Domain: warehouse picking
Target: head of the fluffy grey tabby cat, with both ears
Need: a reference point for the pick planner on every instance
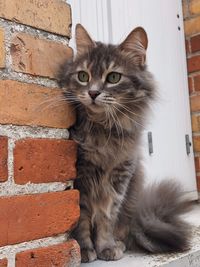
(109, 78)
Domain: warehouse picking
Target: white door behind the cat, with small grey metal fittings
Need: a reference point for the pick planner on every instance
(110, 21)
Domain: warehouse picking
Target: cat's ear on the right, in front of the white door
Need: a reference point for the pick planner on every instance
(135, 45)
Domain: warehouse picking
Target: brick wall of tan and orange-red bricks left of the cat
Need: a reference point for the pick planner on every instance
(37, 161)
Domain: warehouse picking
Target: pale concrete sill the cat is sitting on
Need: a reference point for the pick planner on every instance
(187, 259)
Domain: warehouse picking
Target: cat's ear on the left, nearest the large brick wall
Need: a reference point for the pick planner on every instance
(83, 41)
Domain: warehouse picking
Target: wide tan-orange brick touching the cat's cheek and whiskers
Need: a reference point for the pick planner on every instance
(31, 104)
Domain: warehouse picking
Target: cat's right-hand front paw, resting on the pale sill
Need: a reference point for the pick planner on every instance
(110, 254)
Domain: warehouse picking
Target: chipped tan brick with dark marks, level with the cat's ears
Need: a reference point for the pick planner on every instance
(36, 56)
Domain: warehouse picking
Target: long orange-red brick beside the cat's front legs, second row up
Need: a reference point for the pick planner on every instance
(30, 217)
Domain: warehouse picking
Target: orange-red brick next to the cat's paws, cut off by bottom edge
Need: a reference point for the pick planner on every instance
(61, 255)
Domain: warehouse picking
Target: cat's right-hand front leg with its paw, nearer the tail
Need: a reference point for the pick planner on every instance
(106, 245)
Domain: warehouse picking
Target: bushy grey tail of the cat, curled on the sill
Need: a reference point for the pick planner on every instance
(157, 226)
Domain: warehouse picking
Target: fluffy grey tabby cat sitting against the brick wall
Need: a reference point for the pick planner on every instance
(112, 90)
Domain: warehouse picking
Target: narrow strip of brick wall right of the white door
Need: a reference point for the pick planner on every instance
(191, 11)
